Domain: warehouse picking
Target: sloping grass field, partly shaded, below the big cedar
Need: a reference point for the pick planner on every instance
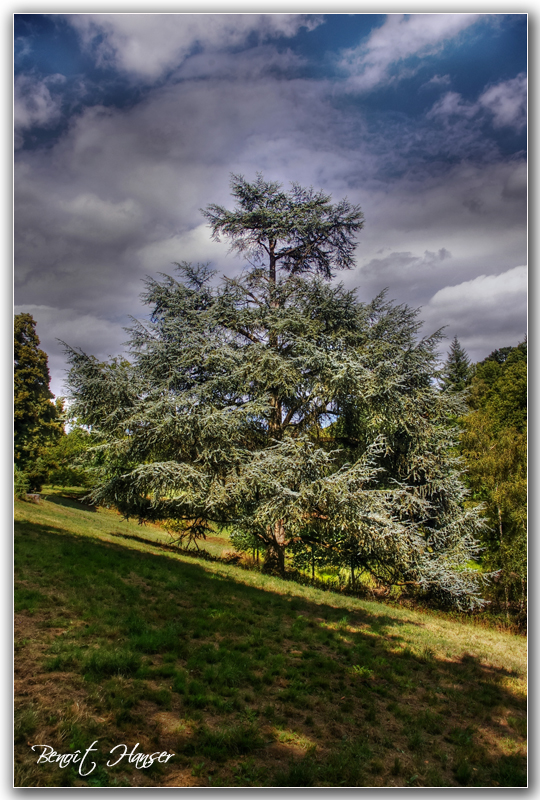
(249, 680)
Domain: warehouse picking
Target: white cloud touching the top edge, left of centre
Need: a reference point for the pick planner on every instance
(147, 46)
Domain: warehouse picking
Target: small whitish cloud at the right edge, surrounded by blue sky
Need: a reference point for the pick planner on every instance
(506, 102)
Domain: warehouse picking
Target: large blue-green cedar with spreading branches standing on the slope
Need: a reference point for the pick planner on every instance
(282, 406)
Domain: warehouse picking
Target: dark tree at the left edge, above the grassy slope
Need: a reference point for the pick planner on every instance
(35, 415)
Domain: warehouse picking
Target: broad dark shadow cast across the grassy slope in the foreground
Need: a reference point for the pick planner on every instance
(229, 649)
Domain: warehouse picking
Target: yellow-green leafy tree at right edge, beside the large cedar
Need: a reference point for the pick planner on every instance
(494, 444)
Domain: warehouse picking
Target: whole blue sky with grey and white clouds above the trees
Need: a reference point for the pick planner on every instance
(126, 125)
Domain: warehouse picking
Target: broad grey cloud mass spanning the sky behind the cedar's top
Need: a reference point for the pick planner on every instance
(117, 196)
